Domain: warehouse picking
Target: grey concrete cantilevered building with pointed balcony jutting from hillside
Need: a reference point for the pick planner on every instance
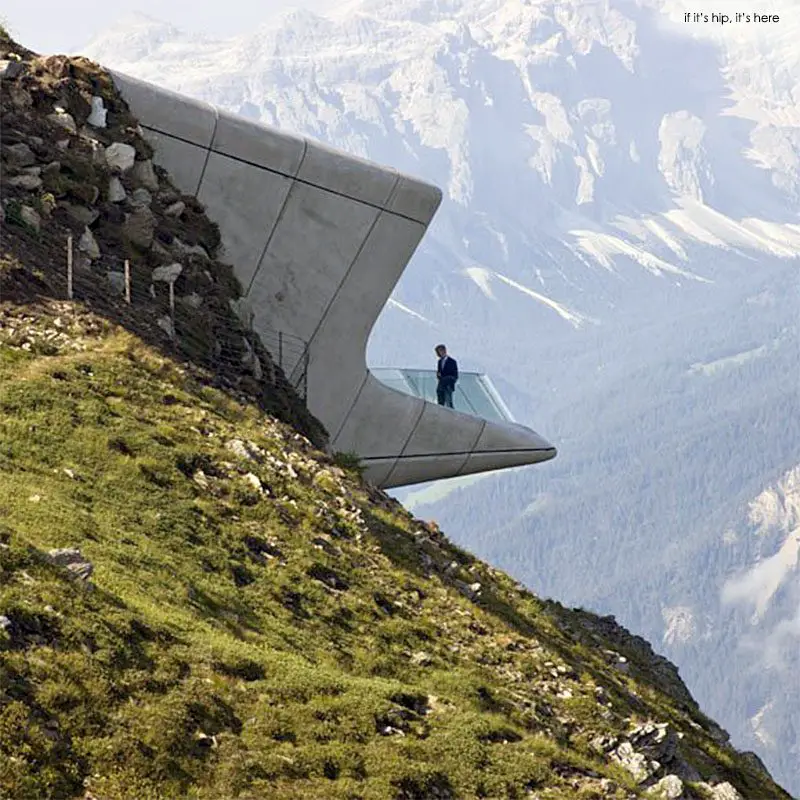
(318, 240)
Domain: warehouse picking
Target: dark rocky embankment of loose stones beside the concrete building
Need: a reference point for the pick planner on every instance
(74, 161)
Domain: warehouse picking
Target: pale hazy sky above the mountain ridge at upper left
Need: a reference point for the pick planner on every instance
(51, 26)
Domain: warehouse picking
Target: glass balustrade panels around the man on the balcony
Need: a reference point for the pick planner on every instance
(475, 393)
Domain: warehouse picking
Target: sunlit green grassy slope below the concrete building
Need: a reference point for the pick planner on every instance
(303, 642)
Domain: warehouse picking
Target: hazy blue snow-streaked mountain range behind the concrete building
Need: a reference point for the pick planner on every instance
(618, 248)
